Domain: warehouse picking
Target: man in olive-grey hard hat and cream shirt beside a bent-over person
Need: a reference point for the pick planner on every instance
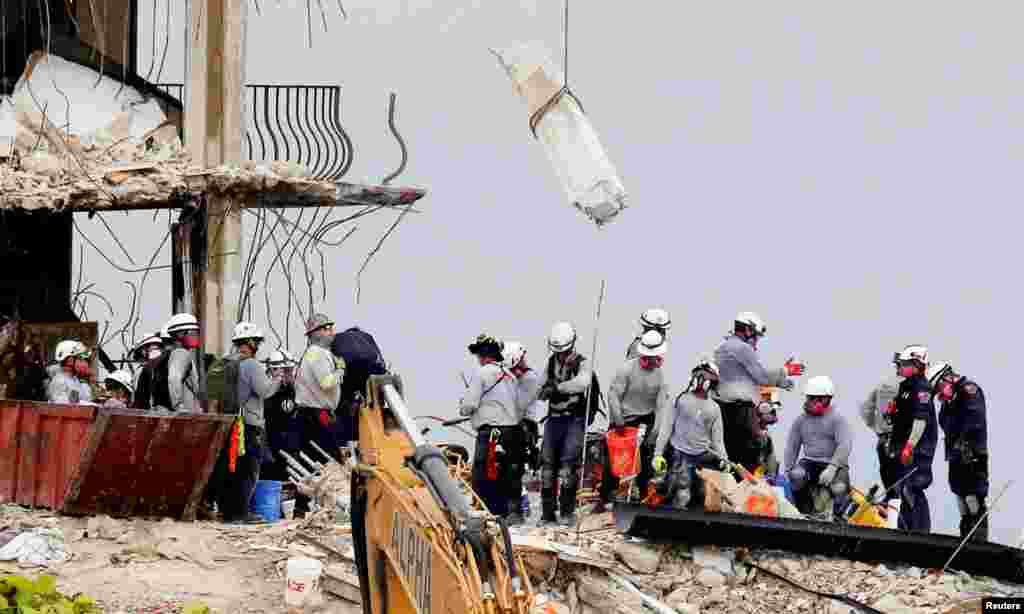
(318, 388)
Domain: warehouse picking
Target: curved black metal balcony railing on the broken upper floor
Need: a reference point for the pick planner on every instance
(297, 123)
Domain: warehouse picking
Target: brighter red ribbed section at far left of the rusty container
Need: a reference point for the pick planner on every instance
(40, 450)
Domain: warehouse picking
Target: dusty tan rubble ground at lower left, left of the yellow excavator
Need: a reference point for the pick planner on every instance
(136, 566)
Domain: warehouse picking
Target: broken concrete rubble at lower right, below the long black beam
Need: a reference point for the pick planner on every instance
(583, 574)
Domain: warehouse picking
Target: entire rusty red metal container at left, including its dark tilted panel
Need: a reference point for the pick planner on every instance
(84, 460)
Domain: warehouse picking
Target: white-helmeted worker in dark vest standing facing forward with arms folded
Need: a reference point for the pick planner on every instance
(565, 385)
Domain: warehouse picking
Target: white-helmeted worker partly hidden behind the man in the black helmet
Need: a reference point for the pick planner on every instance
(532, 411)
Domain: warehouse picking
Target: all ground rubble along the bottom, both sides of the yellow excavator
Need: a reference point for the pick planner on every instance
(134, 566)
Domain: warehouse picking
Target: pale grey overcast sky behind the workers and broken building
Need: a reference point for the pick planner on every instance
(850, 173)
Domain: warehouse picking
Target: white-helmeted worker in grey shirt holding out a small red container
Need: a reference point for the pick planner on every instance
(741, 373)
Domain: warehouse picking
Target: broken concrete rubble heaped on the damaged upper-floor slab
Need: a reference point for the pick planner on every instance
(108, 146)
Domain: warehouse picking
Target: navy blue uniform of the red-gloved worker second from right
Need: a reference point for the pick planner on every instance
(914, 403)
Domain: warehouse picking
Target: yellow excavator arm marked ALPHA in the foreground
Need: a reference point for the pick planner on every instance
(424, 545)
